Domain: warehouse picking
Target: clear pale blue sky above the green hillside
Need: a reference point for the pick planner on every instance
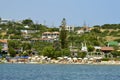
(51, 12)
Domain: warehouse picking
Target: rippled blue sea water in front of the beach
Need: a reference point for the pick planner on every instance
(58, 72)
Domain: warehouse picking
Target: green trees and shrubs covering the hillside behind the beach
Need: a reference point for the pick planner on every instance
(18, 43)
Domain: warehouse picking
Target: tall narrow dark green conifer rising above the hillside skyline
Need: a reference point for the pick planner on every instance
(63, 34)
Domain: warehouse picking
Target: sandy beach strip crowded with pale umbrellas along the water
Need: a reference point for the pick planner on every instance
(60, 60)
